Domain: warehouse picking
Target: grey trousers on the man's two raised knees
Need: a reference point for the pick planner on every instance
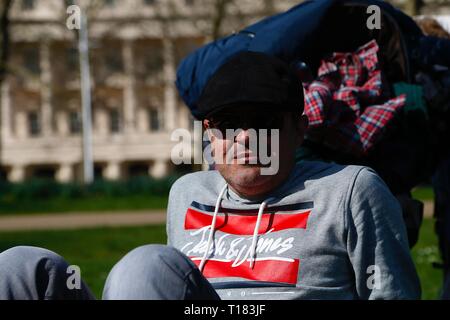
(147, 272)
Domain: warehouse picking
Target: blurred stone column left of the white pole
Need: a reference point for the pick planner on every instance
(46, 90)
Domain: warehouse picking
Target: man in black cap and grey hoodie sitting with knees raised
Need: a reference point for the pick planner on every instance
(310, 230)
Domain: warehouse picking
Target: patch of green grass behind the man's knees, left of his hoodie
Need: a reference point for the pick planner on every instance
(95, 251)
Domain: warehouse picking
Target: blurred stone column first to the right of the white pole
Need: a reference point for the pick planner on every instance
(129, 93)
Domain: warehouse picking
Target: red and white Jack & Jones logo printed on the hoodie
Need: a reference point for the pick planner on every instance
(232, 246)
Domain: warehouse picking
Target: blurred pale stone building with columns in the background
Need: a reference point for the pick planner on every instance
(135, 46)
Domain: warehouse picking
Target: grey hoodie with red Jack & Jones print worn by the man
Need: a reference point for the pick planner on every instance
(329, 232)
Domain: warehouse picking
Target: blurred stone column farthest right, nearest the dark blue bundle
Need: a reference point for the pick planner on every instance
(170, 100)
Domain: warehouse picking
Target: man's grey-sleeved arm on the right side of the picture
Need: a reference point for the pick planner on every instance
(377, 241)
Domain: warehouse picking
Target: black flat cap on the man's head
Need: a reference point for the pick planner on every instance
(252, 78)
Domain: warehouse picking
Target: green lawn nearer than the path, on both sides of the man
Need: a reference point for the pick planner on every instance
(95, 251)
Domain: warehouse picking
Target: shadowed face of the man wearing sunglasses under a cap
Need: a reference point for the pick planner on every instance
(240, 161)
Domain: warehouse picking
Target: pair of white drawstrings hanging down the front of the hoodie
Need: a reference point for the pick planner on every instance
(213, 226)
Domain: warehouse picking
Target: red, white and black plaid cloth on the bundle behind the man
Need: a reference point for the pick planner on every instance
(345, 104)
